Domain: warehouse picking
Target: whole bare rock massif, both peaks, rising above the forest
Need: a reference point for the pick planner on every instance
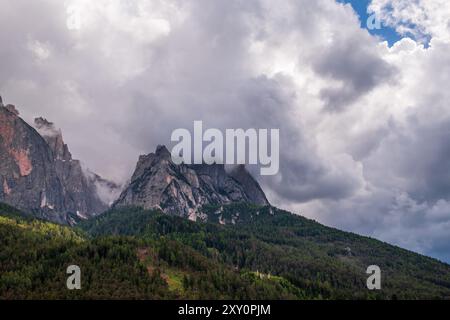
(39, 175)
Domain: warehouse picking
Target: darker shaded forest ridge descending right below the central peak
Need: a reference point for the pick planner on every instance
(324, 262)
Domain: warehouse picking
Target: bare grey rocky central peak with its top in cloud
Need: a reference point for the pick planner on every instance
(184, 189)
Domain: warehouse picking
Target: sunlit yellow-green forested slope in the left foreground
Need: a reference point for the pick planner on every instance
(35, 255)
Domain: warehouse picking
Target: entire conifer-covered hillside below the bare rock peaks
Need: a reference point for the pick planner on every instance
(244, 252)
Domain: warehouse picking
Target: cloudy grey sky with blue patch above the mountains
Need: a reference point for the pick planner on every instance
(364, 115)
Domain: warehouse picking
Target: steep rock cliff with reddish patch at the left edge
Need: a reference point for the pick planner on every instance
(38, 174)
